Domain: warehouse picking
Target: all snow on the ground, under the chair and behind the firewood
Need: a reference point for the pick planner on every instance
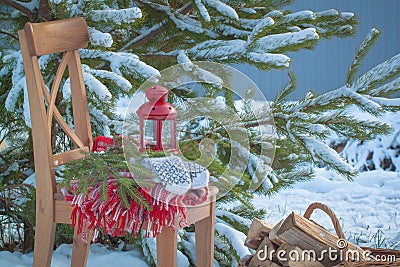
(368, 209)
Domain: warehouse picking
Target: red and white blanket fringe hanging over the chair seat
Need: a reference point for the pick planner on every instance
(90, 212)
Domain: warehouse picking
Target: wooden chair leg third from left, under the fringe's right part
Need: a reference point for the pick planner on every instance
(166, 247)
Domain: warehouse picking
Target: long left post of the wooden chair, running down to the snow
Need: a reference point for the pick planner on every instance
(45, 184)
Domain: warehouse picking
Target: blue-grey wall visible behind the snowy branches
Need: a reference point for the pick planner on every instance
(325, 67)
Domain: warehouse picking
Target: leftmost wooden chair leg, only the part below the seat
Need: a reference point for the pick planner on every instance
(44, 241)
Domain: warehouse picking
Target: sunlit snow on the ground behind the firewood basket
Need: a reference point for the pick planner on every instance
(368, 208)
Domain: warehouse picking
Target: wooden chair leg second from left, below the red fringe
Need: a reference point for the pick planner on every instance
(80, 249)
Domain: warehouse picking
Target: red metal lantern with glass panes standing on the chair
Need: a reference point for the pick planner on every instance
(157, 121)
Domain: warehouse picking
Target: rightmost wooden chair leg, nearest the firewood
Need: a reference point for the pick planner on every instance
(205, 239)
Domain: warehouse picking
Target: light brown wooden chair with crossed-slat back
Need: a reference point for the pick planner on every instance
(68, 36)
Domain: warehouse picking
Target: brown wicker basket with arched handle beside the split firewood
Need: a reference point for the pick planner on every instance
(388, 257)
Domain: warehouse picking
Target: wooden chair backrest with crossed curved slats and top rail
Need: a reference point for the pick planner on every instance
(37, 39)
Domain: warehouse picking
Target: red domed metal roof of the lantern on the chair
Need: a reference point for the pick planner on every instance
(157, 108)
